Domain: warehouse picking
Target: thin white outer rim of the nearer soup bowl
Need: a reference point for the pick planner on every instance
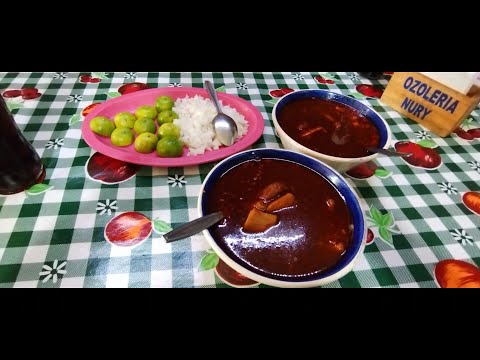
(275, 282)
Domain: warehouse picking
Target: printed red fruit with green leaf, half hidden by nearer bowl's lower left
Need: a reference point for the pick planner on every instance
(231, 277)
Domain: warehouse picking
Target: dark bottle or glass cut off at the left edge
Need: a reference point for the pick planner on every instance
(20, 165)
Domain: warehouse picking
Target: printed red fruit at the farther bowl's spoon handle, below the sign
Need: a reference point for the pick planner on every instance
(423, 155)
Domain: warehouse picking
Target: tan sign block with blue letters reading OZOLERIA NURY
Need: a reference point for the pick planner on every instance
(429, 103)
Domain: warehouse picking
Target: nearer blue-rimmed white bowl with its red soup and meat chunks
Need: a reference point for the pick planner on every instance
(289, 219)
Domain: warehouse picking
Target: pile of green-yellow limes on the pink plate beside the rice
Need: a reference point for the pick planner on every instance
(165, 140)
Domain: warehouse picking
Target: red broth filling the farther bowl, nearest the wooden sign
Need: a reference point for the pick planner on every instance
(312, 122)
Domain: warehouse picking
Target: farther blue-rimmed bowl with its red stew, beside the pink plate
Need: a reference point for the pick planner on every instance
(331, 127)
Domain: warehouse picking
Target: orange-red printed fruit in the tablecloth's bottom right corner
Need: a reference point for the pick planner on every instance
(457, 274)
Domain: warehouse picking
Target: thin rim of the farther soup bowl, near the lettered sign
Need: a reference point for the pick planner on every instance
(330, 158)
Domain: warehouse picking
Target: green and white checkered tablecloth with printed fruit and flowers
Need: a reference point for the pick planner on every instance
(56, 238)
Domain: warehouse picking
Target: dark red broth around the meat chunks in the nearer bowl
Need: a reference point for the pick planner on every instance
(309, 237)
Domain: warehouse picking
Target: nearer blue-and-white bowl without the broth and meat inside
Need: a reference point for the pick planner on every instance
(334, 273)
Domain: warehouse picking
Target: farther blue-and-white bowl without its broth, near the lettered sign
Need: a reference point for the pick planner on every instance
(338, 163)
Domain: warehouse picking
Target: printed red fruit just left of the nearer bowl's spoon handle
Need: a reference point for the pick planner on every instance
(128, 229)
